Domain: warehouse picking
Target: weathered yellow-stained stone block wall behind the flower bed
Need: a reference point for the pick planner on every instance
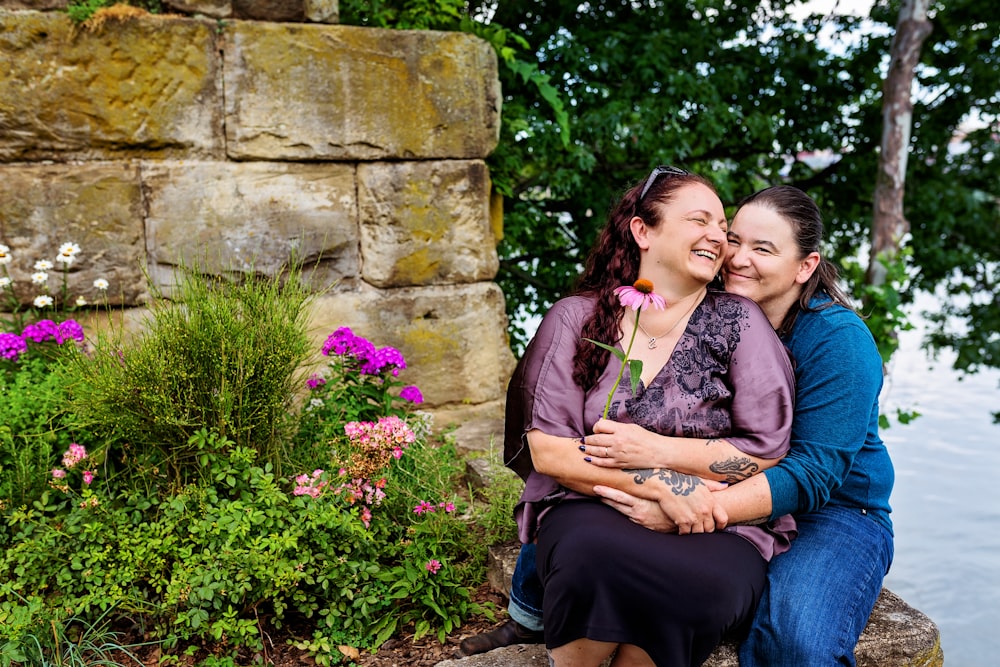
(240, 144)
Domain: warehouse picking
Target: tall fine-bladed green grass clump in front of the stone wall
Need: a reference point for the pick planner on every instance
(220, 354)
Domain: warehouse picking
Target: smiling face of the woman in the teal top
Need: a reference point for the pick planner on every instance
(764, 261)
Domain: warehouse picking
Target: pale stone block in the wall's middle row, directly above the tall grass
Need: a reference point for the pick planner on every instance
(252, 217)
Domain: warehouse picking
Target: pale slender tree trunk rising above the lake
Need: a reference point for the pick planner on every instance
(889, 226)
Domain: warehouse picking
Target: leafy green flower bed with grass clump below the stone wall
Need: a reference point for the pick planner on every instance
(206, 485)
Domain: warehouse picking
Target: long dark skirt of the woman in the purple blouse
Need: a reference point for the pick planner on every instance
(674, 596)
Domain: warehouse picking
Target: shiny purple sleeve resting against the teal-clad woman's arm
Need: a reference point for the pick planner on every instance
(763, 389)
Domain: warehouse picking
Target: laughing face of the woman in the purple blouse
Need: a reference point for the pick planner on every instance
(688, 243)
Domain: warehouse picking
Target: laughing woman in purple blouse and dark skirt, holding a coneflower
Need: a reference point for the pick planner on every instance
(716, 391)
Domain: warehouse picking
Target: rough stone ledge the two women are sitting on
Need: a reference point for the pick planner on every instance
(897, 635)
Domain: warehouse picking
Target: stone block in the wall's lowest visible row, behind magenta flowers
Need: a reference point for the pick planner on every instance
(453, 337)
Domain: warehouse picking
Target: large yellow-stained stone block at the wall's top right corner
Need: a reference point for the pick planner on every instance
(346, 93)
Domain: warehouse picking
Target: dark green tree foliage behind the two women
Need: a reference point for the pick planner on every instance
(742, 92)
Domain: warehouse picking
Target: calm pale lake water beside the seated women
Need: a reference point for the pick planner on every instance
(946, 504)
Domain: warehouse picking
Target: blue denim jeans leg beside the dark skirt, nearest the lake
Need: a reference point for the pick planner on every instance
(821, 592)
